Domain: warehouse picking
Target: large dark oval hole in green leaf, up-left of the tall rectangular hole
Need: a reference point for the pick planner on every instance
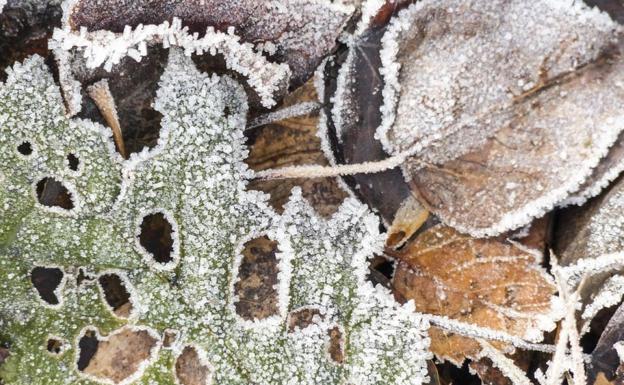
(156, 237)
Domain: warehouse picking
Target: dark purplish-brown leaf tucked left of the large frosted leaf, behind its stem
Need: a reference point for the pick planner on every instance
(349, 130)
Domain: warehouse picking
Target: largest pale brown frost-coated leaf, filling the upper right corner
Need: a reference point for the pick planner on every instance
(556, 120)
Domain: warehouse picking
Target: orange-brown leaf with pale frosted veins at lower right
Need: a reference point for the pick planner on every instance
(485, 282)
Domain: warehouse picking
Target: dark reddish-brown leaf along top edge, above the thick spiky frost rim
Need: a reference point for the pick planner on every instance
(303, 31)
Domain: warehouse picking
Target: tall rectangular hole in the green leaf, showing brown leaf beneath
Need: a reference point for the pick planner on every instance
(257, 278)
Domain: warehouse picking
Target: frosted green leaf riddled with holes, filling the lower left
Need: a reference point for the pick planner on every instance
(195, 179)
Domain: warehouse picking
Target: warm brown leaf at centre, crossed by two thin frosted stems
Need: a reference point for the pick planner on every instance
(292, 142)
